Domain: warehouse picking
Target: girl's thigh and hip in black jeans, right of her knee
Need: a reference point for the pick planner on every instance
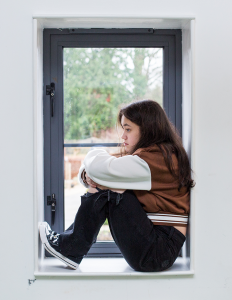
(145, 247)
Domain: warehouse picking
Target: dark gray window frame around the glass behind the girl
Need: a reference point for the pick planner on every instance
(53, 43)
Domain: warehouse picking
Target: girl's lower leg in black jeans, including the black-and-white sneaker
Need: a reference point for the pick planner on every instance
(71, 245)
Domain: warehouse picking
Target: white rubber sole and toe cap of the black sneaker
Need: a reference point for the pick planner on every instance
(43, 230)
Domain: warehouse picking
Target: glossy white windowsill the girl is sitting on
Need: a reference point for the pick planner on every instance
(107, 267)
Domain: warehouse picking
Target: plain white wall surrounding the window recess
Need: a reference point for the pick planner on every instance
(212, 148)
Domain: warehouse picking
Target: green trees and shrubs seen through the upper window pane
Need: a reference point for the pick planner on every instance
(97, 81)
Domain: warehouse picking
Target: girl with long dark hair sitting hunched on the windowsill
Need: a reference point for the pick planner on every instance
(143, 193)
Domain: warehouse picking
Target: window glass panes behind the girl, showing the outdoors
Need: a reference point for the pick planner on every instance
(97, 82)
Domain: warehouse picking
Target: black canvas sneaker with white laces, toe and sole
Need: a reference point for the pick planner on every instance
(50, 240)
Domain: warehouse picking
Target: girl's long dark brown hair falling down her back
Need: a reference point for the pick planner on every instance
(156, 129)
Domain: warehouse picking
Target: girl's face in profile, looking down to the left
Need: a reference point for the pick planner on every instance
(131, 134)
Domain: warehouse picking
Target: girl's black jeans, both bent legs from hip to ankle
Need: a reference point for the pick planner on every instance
(145, 247)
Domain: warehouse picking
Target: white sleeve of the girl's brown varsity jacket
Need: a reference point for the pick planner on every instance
(127, 172)
